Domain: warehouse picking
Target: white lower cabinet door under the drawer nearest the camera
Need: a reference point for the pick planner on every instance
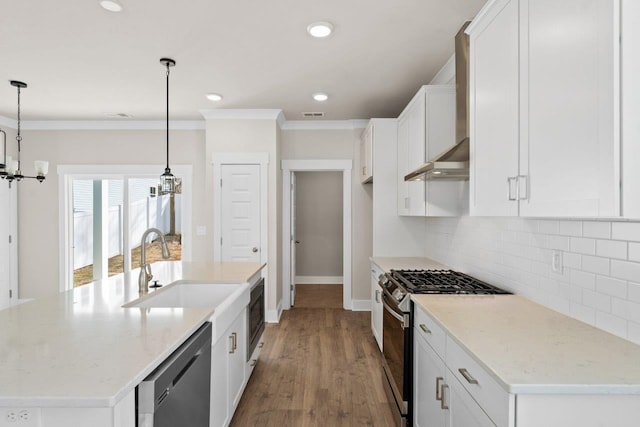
(463, 410)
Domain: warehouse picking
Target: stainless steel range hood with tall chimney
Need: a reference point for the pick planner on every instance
(453, 163)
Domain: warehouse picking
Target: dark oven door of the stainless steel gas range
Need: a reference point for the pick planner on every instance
(396, 350)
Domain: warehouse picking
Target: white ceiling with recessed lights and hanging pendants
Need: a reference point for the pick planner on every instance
(82, 62)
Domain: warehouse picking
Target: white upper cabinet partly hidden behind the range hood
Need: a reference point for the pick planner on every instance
(426, 128)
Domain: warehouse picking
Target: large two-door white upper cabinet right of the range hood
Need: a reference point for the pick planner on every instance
(544, 104)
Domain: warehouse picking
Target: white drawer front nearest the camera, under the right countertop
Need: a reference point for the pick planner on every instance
(485, 390)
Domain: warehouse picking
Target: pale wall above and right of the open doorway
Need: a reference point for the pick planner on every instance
(315, 144)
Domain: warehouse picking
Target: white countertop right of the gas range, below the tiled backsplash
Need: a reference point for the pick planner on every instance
(529, 348)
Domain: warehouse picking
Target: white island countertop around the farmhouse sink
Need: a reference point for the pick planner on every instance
(81, 348)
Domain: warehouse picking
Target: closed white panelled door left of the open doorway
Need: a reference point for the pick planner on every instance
(240, 213)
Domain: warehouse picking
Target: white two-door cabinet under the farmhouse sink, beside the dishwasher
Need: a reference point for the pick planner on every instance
(228, 359)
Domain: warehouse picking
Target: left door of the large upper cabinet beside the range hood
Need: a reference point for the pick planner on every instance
(494, 118)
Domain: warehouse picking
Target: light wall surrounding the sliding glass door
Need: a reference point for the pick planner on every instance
(38, 203)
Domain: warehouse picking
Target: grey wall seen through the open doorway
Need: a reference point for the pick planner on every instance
(319, 223)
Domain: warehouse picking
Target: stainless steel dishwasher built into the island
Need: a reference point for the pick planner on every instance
(177, 393)
